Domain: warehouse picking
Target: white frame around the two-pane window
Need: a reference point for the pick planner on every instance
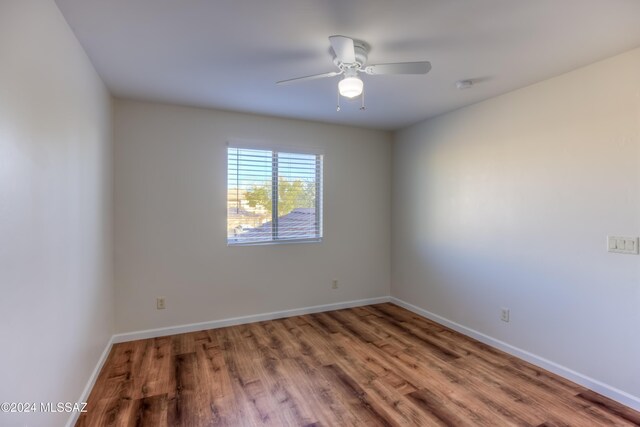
(319, 191)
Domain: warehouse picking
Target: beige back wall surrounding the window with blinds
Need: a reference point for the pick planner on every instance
(170, 219)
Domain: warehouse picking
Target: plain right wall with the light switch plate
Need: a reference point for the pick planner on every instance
(508, 203)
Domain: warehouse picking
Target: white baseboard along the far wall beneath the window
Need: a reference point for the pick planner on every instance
(193, 327)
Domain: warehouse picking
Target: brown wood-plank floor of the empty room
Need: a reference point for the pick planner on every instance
(378, 365)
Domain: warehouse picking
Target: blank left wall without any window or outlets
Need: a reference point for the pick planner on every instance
(55, 210)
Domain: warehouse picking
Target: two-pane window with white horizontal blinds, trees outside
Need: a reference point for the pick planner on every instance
(273, 196)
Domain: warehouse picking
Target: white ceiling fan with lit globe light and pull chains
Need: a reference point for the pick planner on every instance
(350, 56)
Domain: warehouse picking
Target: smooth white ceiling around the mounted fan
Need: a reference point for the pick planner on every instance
(228, 54)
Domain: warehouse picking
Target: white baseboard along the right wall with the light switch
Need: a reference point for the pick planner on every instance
(593, 384)
